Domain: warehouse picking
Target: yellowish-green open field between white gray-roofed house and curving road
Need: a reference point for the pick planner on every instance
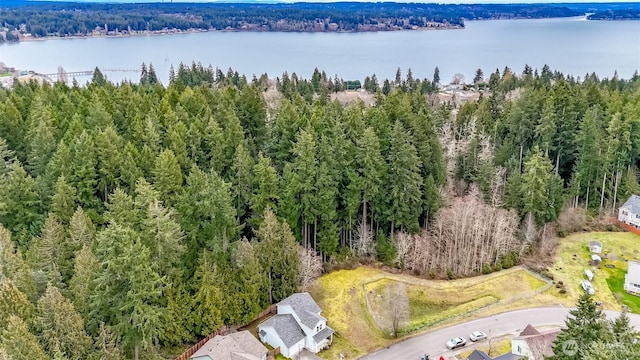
(433, 302)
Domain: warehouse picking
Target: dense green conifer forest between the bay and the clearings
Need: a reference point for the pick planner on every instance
(137, 218)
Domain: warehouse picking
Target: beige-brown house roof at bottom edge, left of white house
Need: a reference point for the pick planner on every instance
(236, 346)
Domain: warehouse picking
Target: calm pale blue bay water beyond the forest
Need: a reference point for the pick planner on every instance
(573, 46)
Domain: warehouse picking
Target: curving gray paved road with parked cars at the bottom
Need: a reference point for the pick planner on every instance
(509, 323)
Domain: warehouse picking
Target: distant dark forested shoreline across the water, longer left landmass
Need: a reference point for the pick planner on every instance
(24, 20)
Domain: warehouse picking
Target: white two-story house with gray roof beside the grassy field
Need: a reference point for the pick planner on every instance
(297, 325)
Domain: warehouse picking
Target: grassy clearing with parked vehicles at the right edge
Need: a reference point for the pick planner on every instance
(572, 258)
